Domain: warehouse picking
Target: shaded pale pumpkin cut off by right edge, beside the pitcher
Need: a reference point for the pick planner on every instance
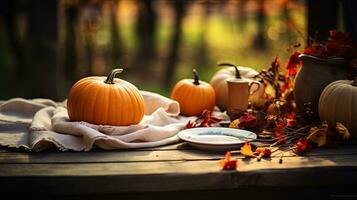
(338, 103)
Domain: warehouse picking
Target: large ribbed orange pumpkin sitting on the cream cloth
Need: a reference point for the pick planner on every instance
(106, 101)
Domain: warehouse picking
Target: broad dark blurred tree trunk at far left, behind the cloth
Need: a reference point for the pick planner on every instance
(42, 41)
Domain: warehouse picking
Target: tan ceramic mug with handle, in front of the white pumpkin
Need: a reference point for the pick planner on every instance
(238, 95)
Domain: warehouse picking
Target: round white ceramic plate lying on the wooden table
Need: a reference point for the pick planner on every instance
(216, 138)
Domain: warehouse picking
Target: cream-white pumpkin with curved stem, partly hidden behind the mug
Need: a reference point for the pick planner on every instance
(219, 84)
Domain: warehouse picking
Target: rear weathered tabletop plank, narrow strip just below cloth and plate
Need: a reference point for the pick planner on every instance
(118, 156)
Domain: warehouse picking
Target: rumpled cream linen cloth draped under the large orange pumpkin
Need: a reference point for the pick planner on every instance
(41, 123)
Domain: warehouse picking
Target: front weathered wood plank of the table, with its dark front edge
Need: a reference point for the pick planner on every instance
(176, 176)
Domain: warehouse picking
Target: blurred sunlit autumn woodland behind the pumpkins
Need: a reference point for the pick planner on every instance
(46, 47)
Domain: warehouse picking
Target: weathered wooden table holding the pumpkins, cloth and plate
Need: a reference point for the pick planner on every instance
(178, 172)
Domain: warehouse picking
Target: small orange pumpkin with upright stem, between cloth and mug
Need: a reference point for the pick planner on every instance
(194, 96)
